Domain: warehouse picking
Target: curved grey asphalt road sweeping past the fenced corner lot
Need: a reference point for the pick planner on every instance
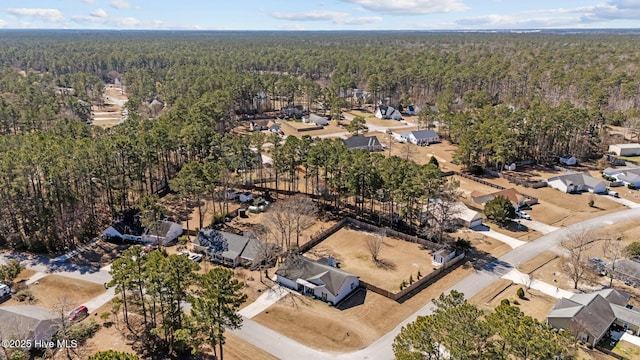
(283, 347)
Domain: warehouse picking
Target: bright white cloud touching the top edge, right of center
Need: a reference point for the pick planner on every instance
(411, 7)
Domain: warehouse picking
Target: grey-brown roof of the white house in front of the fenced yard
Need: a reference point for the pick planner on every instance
(300, 267)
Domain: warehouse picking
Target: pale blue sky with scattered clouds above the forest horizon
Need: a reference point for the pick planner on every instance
(319, 14)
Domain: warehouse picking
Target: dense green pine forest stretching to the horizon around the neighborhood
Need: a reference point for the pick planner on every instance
(502, 97)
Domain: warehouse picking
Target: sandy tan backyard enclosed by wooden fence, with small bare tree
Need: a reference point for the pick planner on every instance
(402, 259)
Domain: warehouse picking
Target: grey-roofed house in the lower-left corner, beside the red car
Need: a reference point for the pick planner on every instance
(28, 322)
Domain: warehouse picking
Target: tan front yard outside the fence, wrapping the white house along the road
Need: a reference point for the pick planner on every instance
(318, 325)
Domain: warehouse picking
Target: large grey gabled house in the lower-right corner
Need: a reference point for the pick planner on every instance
(589, 316)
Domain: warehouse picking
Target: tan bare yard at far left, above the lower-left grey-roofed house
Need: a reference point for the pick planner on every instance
(52, 291)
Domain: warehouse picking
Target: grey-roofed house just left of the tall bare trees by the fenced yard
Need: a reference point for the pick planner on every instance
(226, 248)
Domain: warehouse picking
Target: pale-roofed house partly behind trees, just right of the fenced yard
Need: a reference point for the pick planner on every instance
(458, 213)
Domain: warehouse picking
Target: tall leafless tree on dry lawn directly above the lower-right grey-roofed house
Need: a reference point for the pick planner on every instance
(576, 262)
